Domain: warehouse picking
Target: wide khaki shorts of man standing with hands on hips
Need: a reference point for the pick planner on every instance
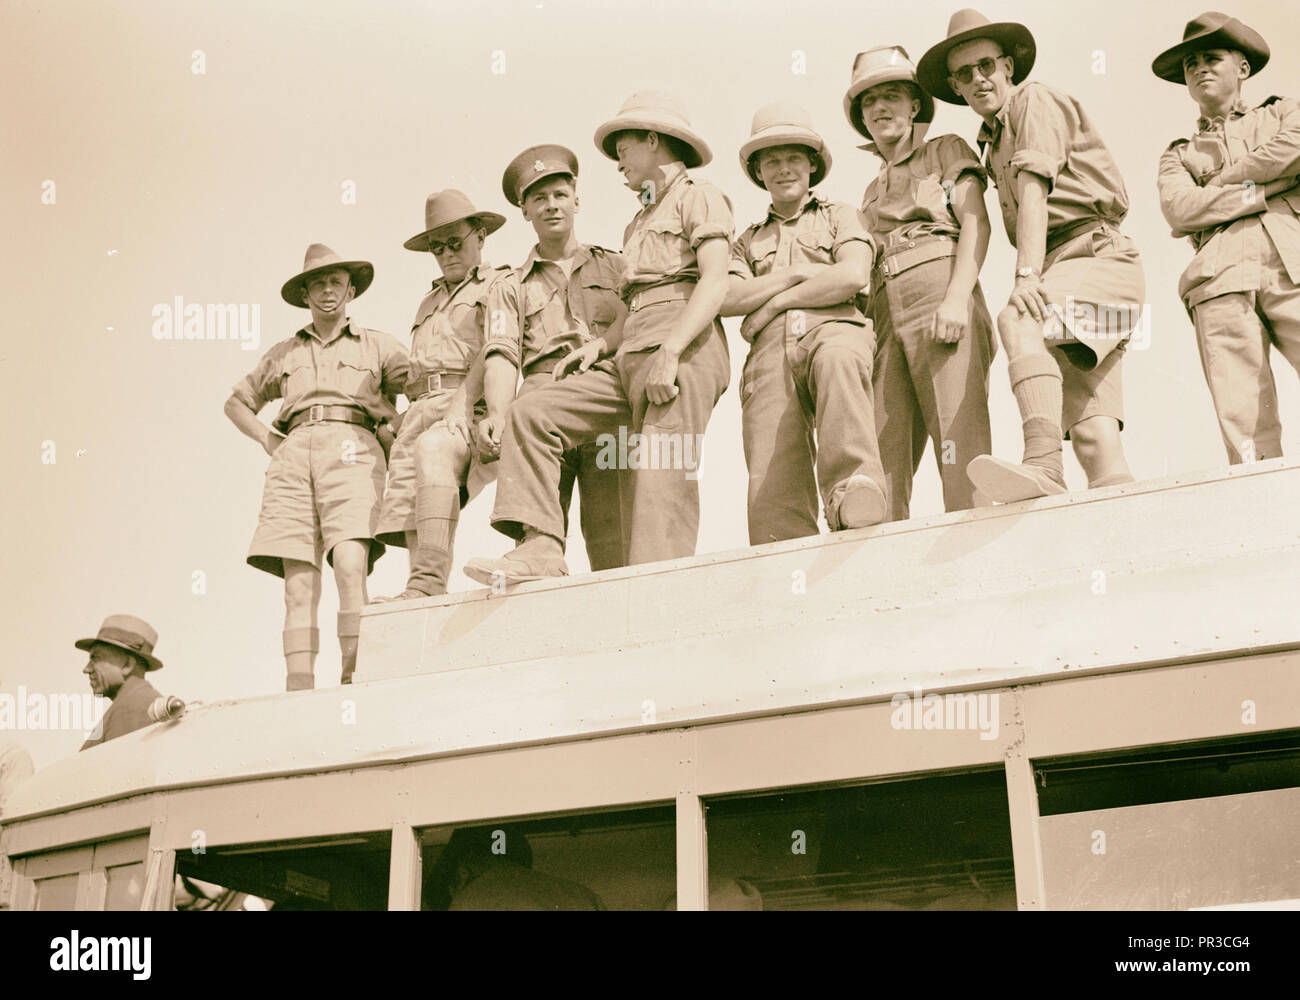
(323, 487)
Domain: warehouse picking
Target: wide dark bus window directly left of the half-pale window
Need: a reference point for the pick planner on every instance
(912, 845)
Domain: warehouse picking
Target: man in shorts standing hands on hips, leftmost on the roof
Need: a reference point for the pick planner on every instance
(339, 383)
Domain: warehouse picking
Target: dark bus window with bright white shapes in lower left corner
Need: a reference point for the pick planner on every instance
(348, 873)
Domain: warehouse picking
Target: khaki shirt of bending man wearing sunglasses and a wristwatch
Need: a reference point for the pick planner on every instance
(1048, 133)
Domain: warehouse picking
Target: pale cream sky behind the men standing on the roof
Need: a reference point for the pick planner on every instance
(209, 187)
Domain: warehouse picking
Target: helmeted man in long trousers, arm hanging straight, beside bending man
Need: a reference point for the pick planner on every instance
(934, 331)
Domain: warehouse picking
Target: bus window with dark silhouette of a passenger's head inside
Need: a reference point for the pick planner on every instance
(618, 860)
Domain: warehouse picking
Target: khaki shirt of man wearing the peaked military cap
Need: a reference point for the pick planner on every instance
(540, 315)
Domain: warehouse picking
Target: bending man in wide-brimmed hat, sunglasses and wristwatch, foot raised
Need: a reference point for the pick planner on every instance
(1080, 287)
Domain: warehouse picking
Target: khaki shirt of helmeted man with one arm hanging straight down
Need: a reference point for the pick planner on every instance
(911, 197)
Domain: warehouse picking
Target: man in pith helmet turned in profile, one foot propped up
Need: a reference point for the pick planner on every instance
(670, 367)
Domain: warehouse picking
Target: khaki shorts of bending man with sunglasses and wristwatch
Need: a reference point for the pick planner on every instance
(1098, 291)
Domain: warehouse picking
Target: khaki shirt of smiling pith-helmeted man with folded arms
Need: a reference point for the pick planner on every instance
(813, 237)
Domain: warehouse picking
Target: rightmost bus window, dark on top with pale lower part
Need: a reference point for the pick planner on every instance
(1211, 824)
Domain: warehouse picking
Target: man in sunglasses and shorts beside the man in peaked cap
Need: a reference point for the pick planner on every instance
(434, 471)
